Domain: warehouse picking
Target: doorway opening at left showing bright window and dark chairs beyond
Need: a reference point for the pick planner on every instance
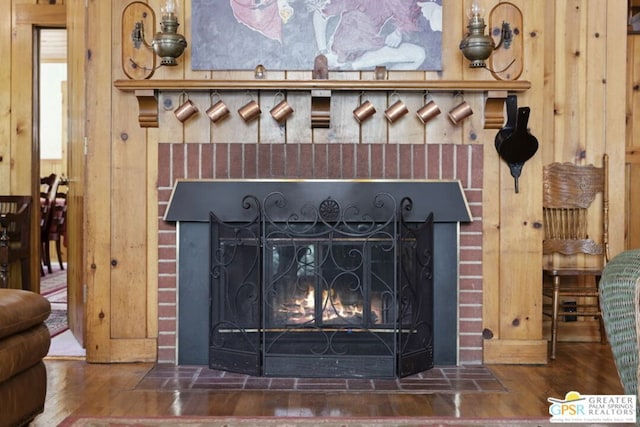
(51, 133)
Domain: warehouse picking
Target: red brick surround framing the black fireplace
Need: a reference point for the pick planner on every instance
(326, 161)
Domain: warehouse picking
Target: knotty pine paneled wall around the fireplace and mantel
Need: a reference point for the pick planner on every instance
(573, 59)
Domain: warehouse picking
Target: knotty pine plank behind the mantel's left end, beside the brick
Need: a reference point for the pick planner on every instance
(127, 211)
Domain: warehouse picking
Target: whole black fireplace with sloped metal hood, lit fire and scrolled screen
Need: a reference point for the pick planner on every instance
(320, 278)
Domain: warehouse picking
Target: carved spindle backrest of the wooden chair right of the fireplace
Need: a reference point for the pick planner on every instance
(568, 193)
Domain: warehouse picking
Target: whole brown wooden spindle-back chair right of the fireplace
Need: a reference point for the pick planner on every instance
(573, 194)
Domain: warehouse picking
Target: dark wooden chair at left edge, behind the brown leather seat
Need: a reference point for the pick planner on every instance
(15, 226)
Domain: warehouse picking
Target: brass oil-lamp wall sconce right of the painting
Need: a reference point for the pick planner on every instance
(477, 46)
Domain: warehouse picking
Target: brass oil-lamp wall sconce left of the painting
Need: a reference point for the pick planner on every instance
(166, 43)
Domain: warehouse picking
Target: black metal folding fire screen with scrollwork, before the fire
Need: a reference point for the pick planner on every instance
(322, 288)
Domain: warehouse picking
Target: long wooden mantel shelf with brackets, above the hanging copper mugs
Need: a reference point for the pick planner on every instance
(497, 90)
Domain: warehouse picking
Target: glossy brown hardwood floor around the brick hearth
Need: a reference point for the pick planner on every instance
(78, 388)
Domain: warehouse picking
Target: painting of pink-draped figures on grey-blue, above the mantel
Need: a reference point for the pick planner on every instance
(289, 34)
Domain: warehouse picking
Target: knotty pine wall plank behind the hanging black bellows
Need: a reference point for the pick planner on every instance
(520, 239)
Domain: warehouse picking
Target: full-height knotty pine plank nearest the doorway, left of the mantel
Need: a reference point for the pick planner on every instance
(98, 189)
